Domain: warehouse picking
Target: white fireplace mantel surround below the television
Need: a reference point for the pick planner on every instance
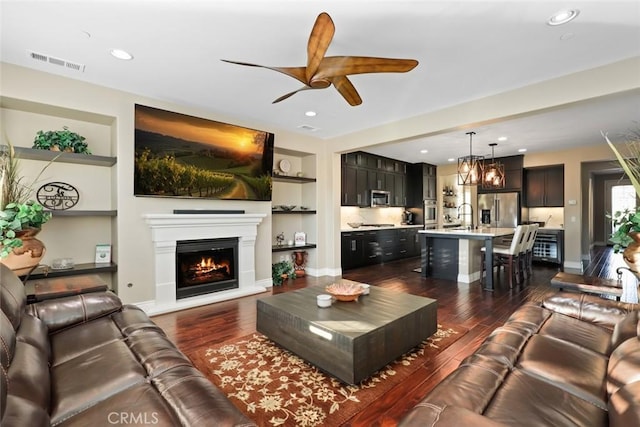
(168, 229)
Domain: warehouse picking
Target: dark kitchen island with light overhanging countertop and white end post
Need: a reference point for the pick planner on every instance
(454, 254)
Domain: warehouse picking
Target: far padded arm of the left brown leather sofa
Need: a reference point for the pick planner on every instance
(61, 313)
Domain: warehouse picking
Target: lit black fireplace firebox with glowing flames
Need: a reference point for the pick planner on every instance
(206, 266)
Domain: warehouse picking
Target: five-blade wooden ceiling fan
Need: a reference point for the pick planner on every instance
(323, 71)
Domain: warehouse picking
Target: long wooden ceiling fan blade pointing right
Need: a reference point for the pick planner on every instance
(332, 66)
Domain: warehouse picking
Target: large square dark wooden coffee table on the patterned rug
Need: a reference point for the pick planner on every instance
(349, 340)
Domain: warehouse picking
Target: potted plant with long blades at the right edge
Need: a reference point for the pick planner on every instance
(626, 235)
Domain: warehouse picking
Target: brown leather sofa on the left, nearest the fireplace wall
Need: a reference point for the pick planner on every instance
(88, 360)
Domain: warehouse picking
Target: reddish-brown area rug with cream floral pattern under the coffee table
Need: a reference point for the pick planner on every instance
(274, 387)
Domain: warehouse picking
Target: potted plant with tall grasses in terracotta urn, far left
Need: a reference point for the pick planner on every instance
(20, 218)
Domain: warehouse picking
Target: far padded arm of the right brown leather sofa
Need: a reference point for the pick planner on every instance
(589, 308)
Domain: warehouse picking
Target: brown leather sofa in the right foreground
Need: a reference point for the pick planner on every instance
(571, 360)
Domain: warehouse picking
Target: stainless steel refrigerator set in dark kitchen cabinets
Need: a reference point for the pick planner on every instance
(499, 209)
